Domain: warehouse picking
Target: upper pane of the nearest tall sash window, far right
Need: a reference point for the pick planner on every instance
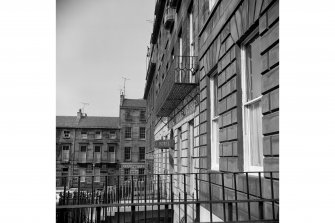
(254, 77)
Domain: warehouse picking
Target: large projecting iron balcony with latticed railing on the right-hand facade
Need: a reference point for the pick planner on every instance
(180, 80)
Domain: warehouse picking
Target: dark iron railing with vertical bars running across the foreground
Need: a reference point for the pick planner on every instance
(223, 196)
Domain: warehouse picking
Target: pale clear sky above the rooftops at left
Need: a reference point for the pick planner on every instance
(97, 43)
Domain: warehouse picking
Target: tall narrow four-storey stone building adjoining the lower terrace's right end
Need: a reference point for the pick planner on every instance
(133, 136)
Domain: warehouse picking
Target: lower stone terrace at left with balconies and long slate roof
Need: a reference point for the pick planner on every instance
(86, 146)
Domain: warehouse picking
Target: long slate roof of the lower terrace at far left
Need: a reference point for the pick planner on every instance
(87, 122)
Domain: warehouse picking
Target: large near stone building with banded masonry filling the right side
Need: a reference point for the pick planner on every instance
(212, 91)
